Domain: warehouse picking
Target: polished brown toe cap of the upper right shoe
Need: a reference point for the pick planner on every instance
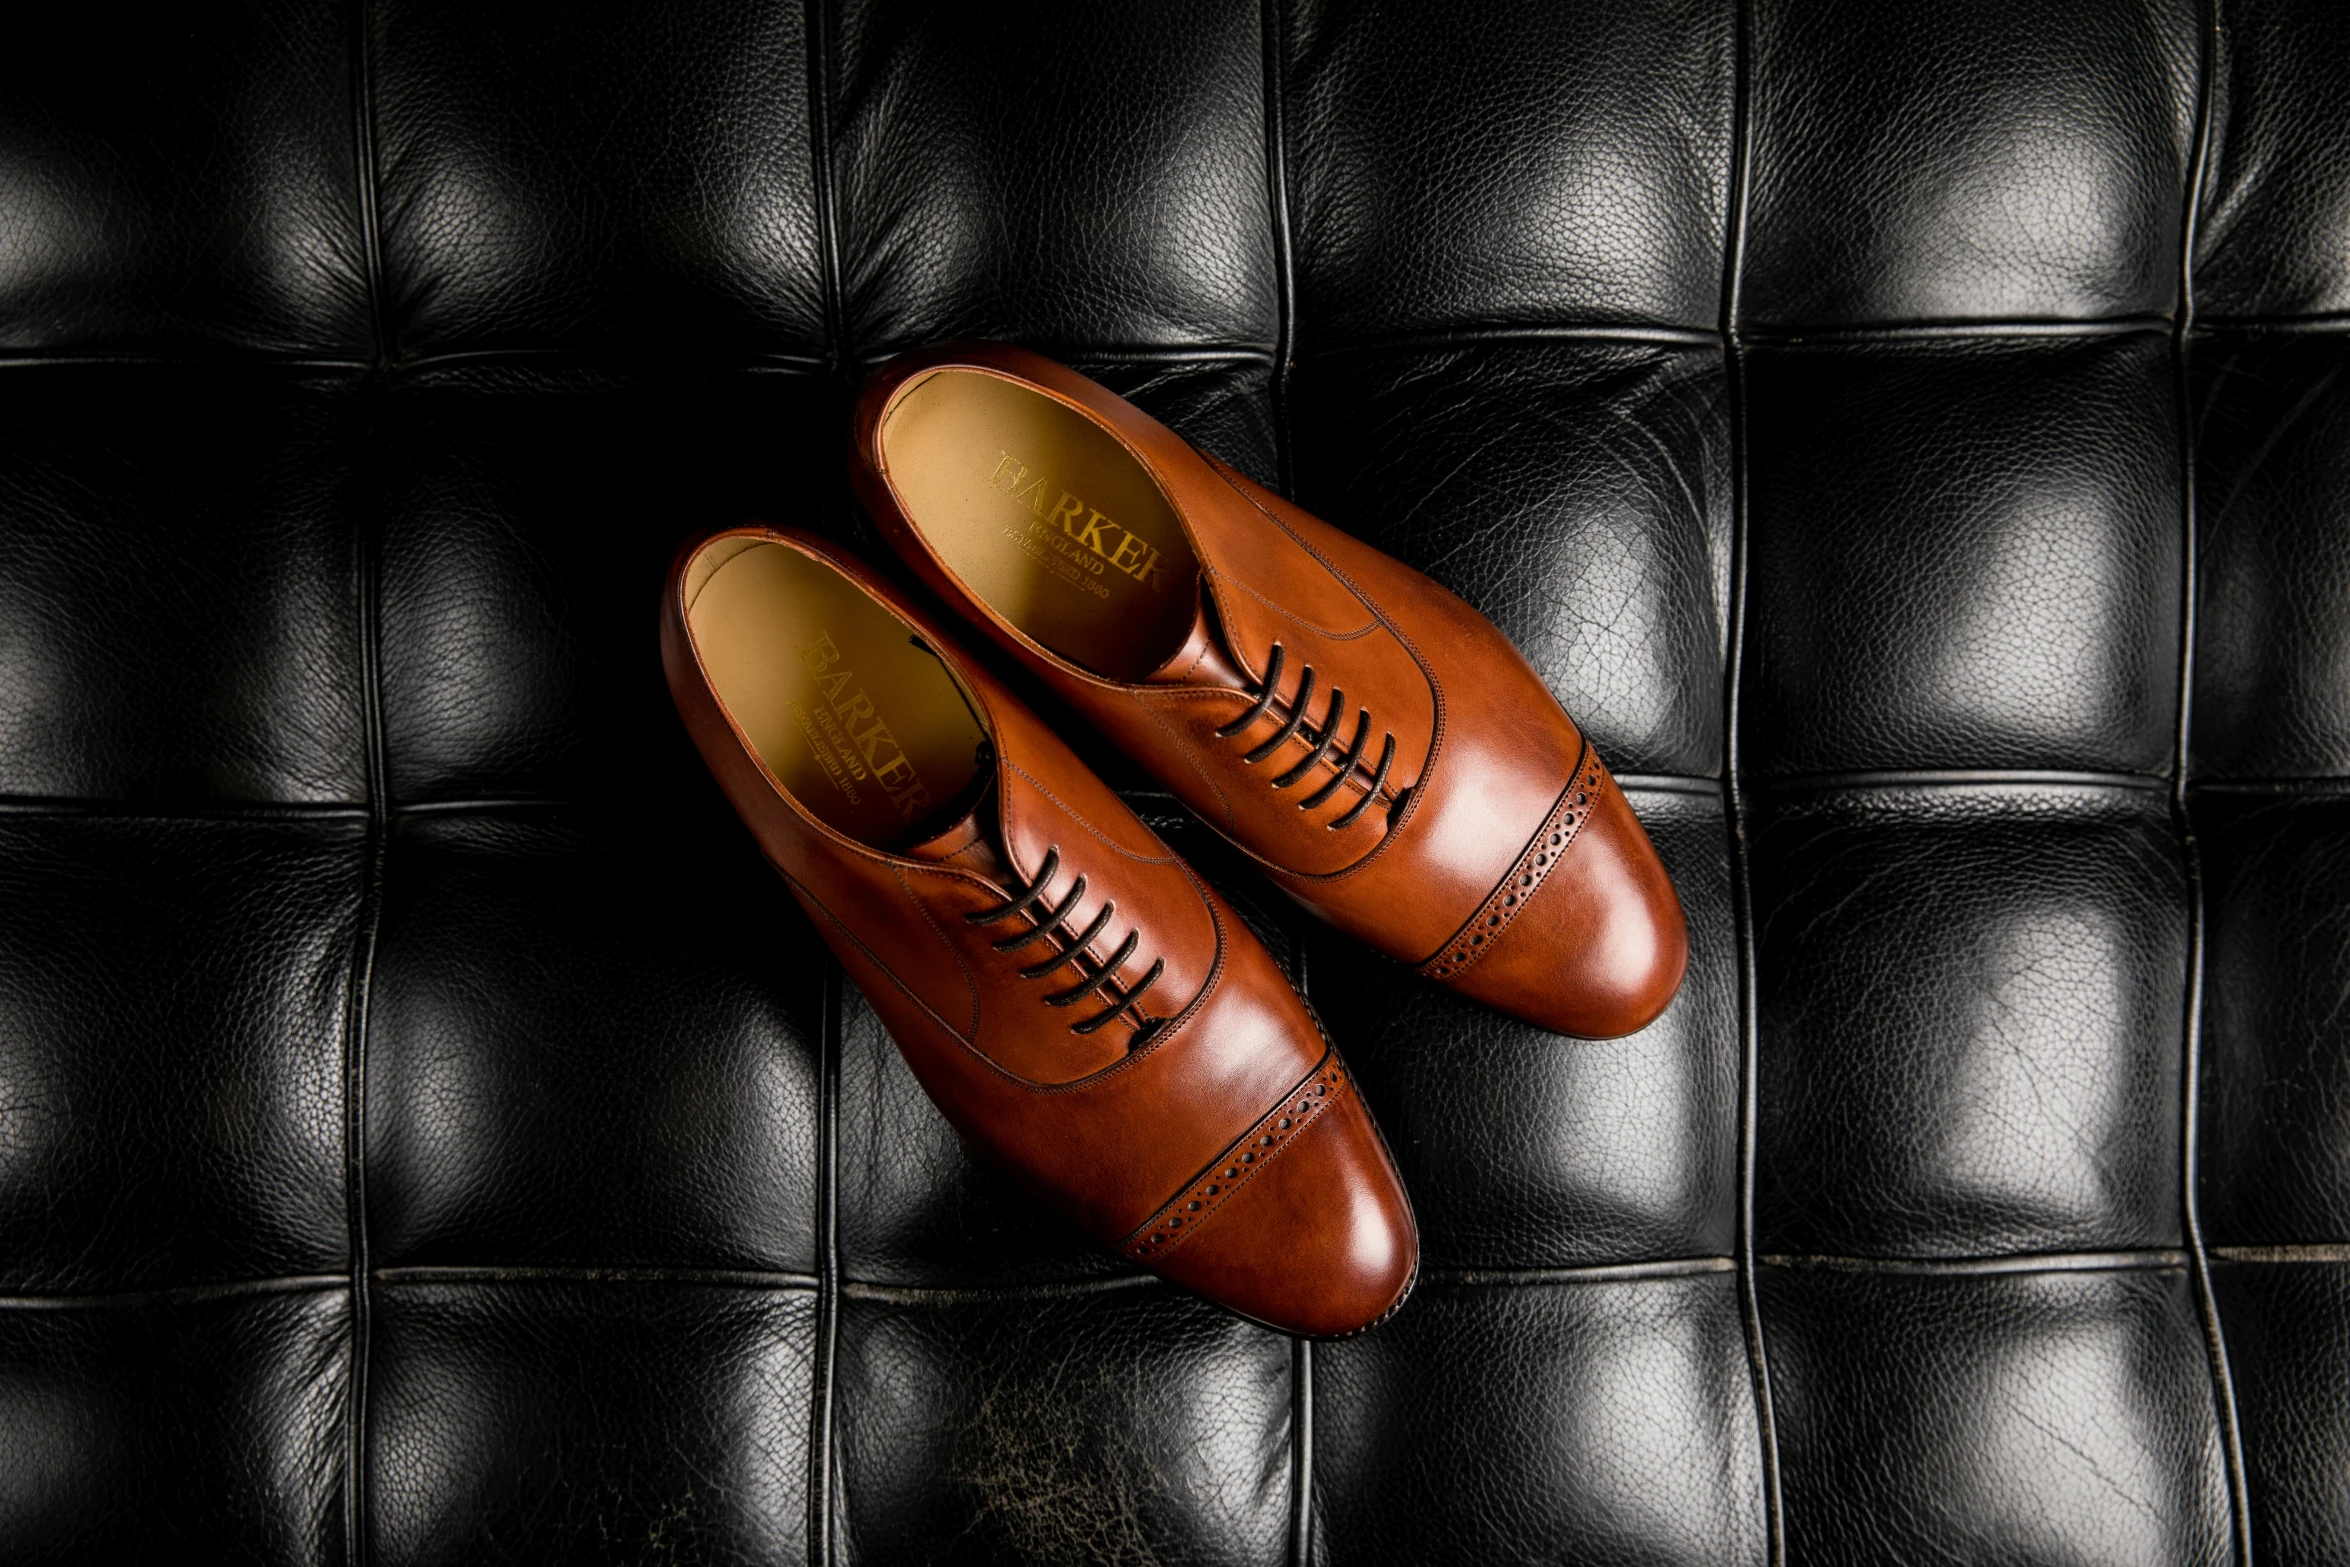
(1602, 948)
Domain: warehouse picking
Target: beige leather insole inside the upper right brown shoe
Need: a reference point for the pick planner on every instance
(1047, 518)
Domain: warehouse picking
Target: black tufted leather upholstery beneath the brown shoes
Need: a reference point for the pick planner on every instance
(1914, 438)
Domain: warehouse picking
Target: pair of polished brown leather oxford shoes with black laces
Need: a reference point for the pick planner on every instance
(1070, 993)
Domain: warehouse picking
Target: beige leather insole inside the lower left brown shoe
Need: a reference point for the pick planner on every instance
(861, 725)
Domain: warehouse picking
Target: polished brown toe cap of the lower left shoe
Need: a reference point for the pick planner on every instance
(1320, 1244)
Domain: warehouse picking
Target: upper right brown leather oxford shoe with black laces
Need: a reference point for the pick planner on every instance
(1378, 746)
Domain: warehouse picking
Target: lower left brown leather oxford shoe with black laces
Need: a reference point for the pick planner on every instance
(1075, 1000)
